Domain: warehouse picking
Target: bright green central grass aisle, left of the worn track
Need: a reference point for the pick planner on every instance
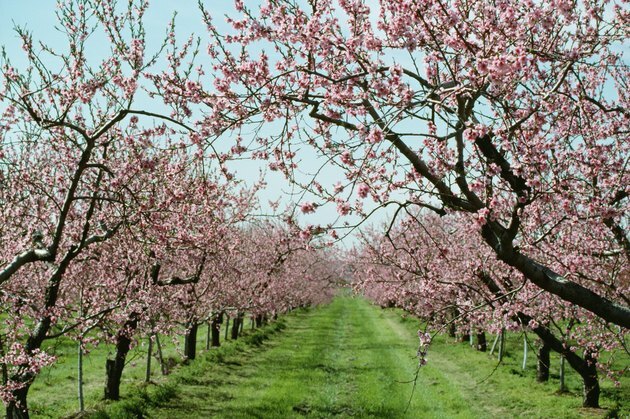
(345, 359)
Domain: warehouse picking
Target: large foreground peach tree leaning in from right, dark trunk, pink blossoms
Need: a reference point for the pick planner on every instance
(513, 111)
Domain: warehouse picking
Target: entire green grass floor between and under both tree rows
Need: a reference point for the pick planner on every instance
(346, 359)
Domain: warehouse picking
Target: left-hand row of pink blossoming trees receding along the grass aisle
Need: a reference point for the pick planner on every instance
(114, 229)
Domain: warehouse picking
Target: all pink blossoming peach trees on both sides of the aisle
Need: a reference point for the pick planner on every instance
(496, 130)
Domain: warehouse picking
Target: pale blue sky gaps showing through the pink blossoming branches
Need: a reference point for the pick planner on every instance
(39, 18)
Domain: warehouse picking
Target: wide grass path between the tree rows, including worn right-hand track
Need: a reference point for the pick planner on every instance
(351, 359)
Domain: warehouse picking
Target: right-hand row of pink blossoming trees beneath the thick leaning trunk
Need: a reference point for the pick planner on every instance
(438, 269)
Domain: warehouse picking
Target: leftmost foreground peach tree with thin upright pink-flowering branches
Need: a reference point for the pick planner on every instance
(75, 170)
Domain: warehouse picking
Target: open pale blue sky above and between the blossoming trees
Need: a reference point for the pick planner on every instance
(38, 16)
